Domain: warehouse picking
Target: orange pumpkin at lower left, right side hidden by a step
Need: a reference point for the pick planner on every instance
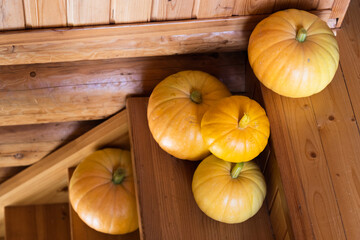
(102, 193)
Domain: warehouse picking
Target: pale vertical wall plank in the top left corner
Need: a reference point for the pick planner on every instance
(11, 15)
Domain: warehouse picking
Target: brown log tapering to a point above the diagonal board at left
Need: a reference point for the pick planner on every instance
(22, 145)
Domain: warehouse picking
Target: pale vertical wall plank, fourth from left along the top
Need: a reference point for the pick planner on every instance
(130, 11)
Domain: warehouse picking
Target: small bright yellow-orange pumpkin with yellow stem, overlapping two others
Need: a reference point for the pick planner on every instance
(236, 129)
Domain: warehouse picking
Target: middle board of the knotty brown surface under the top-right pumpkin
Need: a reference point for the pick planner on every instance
(341, 140)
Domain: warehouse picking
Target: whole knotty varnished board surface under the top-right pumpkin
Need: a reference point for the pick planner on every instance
(316, 142)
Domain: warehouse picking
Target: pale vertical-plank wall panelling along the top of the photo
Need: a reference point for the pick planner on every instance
(27, 14)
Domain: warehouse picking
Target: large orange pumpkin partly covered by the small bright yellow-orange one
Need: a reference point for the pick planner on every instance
(176, 107)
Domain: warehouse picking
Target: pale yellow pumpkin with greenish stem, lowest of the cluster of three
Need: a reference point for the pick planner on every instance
(228, 192)
